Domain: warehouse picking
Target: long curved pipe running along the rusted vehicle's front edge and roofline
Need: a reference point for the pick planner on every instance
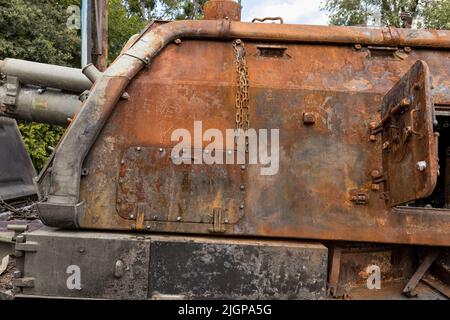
(66, 169)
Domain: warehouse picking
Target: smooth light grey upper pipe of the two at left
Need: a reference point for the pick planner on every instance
(46, 75)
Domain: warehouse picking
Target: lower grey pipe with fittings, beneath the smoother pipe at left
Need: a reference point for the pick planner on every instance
(50, 107)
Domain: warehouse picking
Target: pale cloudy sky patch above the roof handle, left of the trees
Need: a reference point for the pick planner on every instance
(292, 11)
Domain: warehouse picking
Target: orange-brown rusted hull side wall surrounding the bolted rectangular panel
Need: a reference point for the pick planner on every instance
(319, 165)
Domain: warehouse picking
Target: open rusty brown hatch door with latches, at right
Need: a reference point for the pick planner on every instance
(409, 146)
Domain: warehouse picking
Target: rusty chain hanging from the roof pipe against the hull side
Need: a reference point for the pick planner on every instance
(242, 96)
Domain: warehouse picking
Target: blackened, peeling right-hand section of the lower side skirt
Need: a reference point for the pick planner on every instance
(238, 269)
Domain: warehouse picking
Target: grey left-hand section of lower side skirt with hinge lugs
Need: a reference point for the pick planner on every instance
(111, 266)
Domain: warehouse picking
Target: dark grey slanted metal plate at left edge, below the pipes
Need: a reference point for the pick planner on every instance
(16, 170)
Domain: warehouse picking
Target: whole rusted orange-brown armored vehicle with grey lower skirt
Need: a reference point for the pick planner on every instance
(354, 185)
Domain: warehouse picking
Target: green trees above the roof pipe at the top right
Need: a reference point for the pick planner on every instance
(398, 13)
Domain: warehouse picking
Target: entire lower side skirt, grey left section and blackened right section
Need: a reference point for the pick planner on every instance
(56, 263)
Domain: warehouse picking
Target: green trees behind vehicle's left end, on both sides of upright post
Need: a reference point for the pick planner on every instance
(37, 31)
